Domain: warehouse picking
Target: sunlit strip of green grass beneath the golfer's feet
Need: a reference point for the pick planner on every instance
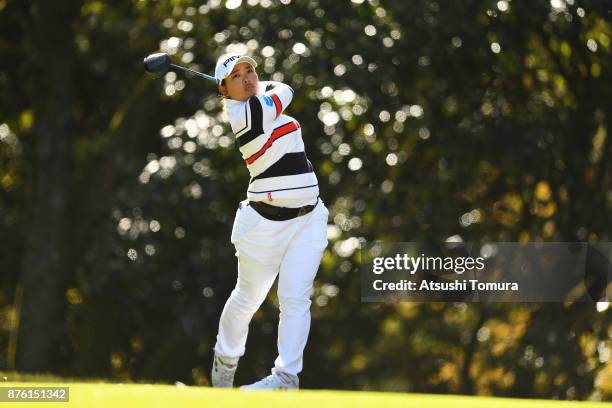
(102, 395)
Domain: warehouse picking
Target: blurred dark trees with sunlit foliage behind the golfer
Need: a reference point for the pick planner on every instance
(479, 119)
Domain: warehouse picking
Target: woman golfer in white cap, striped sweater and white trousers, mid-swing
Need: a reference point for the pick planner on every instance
(280, 229)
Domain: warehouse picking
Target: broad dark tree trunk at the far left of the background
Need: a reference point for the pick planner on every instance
(44, 272)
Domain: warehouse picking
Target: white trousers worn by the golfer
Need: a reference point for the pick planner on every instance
(292, 250)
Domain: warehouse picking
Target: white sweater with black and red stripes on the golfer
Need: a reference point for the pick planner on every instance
(272, 147)
